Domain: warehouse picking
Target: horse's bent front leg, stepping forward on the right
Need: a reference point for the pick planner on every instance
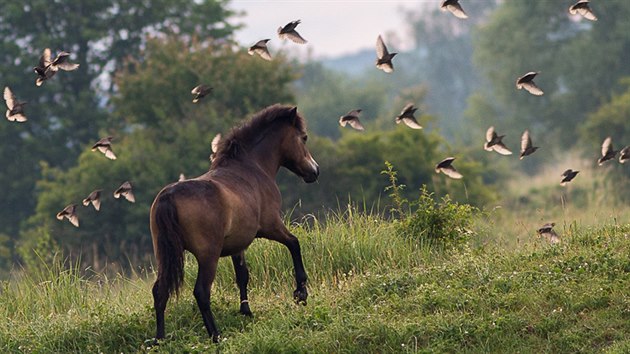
(282, 235)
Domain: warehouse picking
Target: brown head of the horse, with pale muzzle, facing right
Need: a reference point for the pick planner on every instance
(295, 154)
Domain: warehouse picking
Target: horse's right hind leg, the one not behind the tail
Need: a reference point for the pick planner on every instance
(205, 277)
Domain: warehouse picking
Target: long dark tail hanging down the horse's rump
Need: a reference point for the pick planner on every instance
(170, 247)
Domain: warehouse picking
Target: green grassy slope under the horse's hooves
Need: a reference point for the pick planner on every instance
(371, 290)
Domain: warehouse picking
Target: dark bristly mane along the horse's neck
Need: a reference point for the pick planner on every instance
(252, 130)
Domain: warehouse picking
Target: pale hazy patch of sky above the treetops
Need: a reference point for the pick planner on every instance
(332, 27)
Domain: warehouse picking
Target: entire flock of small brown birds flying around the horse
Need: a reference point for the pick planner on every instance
(48, 67)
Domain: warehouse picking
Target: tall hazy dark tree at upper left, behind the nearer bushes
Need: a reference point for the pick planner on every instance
(68, 111)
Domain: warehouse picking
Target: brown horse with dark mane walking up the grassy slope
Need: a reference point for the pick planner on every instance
(221, 212)
